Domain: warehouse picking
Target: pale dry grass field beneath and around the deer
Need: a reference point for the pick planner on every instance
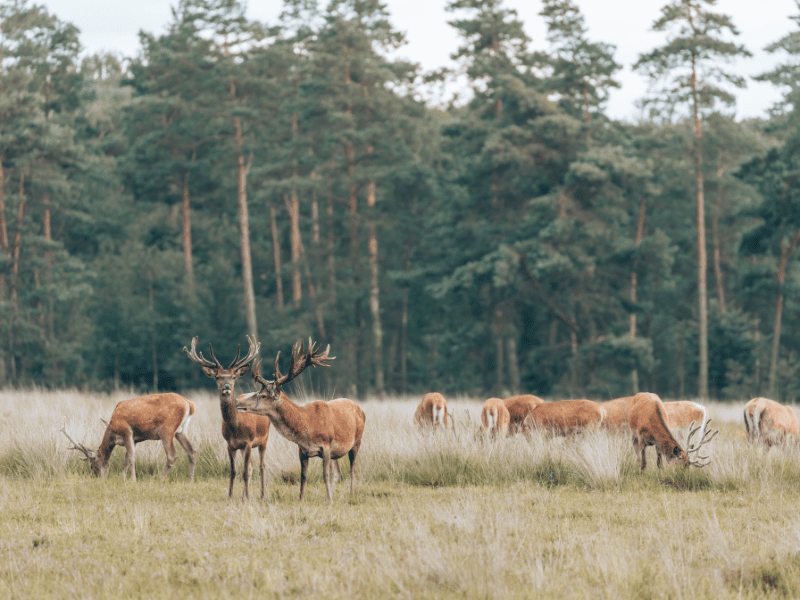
(441, 516)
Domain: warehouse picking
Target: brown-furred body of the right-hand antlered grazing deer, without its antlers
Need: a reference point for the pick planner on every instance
(647, 420)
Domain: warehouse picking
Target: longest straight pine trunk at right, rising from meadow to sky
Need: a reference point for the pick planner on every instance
(702, 259)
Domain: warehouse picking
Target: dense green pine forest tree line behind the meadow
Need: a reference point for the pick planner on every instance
(293, 180)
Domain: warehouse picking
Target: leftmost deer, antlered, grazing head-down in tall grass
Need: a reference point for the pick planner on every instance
(162, 417)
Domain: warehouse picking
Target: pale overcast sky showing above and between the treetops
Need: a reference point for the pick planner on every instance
(113, 25)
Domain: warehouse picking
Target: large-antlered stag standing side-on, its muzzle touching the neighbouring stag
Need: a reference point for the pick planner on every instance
(325, 429)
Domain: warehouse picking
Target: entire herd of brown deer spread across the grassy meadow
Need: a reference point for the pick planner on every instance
(333, 429)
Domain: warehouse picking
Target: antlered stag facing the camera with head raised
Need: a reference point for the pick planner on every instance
(241, 432)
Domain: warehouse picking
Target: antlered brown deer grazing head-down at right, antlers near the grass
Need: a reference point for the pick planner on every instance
(647, 420)
